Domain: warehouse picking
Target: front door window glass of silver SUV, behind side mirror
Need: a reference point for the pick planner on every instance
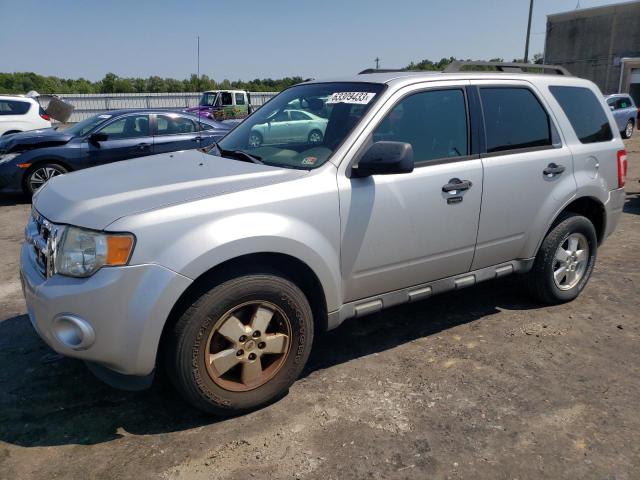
(433, 122)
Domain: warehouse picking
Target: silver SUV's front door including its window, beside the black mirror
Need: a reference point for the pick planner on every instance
(403, 230)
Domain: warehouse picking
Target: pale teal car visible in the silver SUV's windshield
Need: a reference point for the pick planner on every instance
(289, 126)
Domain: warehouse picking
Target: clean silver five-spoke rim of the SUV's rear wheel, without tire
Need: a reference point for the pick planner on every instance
(570, 261)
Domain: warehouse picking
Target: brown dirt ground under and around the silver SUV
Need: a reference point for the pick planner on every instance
(479, 384)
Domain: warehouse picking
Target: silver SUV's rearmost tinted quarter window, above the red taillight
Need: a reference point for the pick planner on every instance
(585, 113)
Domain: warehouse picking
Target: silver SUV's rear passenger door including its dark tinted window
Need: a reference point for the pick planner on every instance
(528, 171)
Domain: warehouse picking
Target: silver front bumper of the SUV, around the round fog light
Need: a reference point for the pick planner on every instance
(126, 307)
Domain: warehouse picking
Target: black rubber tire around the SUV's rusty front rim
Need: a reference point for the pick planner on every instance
(188, 343)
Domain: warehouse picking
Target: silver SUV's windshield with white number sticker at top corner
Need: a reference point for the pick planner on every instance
(302, 126)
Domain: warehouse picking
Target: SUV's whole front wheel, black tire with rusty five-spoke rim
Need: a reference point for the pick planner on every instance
(241, 345)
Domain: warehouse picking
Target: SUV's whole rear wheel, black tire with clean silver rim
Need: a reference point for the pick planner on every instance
(565, 260)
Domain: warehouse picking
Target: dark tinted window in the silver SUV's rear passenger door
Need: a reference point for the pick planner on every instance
(514, 119)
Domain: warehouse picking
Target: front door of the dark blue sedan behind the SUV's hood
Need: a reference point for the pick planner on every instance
(127, 137)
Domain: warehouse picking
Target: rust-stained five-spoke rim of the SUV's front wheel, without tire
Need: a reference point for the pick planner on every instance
(248, 346)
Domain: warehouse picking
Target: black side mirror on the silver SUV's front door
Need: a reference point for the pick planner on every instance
(385, 158)
